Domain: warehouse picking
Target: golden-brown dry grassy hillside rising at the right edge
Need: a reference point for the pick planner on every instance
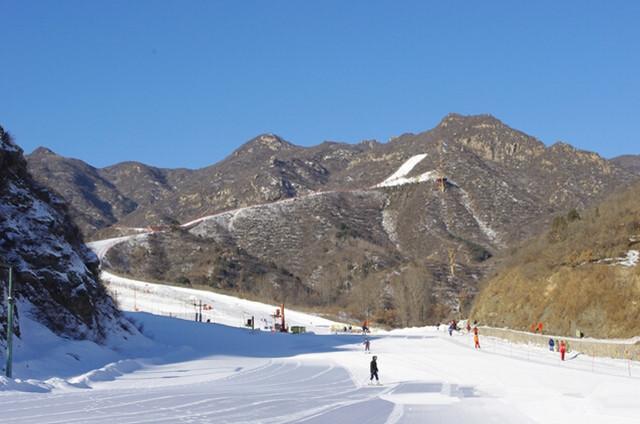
(557, 278)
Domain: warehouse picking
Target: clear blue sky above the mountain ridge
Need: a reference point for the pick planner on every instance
(184, 83)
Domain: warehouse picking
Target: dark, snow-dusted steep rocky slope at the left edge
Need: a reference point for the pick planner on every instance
(56, 275)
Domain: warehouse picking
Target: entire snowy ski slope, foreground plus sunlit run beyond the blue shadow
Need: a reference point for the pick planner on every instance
(181, 371)
